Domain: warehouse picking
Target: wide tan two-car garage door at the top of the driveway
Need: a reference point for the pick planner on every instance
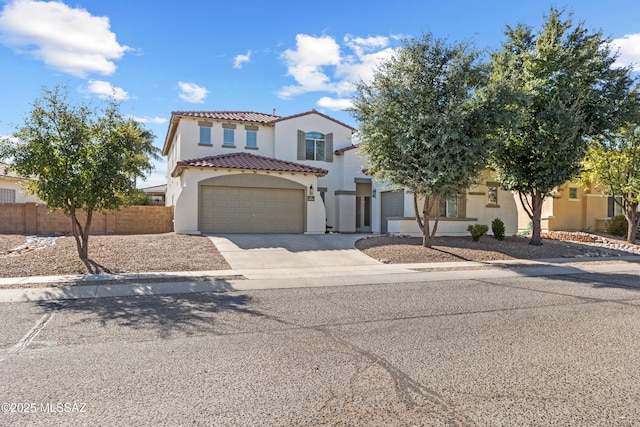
(226, 209)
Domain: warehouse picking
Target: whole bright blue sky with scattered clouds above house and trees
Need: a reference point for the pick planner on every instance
(159, 57)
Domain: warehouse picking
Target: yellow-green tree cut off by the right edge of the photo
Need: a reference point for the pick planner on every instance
(612, 165)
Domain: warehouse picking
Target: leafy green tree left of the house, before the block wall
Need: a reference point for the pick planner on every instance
(79, 159)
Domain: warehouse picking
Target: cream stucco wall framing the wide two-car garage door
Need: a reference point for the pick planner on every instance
(186, 196)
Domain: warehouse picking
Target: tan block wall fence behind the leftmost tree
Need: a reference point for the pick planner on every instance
(34, 218)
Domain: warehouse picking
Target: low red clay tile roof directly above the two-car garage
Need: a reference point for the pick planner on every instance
(247, 161)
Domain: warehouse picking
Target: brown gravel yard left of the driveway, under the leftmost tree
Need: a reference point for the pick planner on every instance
(108, 254)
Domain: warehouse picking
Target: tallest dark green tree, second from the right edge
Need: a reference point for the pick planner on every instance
(549, 92)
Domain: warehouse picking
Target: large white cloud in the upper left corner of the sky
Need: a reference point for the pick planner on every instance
(67, 39)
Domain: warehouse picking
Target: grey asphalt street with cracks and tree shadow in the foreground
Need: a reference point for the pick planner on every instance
(555, 350)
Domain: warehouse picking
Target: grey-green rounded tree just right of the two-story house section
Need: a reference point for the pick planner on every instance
(420, 124)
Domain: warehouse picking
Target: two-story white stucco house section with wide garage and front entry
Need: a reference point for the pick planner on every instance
(246, 172)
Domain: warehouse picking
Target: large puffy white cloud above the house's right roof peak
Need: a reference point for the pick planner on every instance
(318, 65)
